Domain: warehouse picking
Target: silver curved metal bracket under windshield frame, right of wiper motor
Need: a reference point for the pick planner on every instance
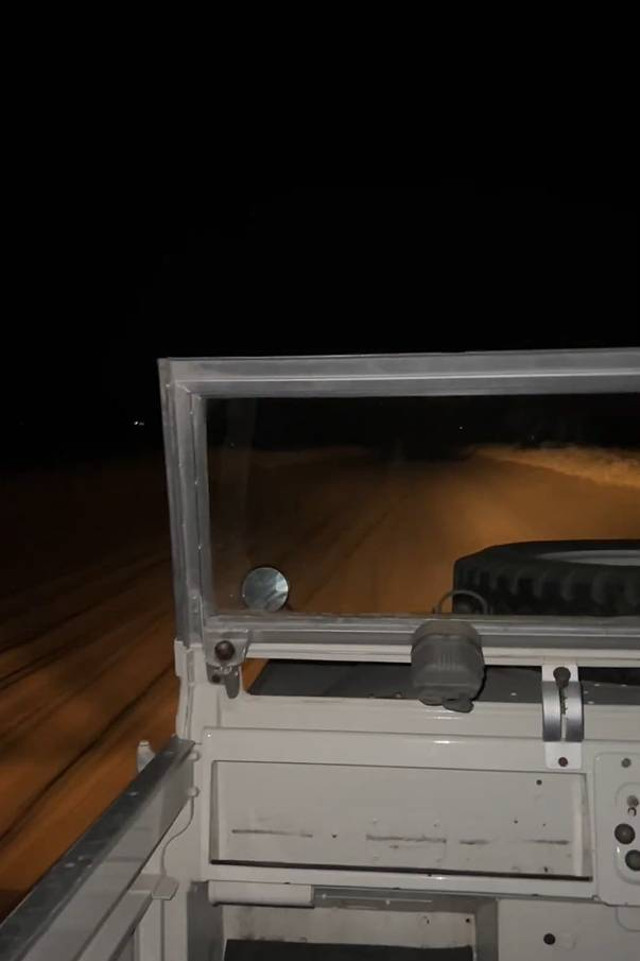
(562, 716)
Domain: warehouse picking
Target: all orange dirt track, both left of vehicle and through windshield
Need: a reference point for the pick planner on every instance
(86, 605)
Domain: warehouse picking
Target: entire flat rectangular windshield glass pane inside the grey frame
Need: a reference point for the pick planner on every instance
(367, 505)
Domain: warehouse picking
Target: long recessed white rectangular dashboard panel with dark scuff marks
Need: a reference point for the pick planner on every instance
(479, 821)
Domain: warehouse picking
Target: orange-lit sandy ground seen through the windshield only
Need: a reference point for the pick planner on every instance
(357, 535)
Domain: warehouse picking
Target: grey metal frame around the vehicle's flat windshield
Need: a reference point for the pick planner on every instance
(187, 384)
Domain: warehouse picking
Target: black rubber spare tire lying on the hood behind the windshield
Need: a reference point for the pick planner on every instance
(527, 579)
